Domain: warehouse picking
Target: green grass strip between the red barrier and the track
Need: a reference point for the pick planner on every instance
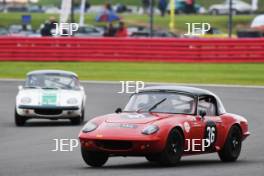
(242, 74)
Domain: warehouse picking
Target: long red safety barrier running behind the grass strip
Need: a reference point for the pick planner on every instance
(132, 50)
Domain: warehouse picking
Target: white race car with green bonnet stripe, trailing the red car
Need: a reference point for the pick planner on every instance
(50, 94)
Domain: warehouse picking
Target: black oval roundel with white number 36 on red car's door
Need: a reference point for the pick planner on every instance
(210, 134)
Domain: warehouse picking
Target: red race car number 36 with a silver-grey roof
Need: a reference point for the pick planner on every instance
(164, 123)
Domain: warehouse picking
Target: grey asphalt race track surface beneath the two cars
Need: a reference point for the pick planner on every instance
(26, 151)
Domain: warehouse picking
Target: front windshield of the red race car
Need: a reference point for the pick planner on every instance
(175, 103)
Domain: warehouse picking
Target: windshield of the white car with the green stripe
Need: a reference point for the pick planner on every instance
(52, 81)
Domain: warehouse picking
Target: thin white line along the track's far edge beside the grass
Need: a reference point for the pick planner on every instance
(158, 83)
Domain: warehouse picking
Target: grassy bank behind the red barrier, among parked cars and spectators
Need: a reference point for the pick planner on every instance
(220, 22)
